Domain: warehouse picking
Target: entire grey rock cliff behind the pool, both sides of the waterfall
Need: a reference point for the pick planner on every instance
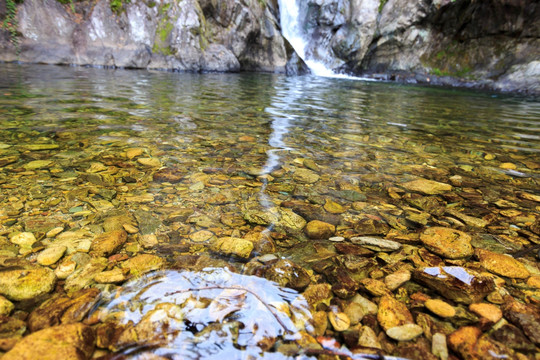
(490, 44)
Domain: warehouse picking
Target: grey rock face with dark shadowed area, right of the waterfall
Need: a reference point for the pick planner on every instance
(488, 43)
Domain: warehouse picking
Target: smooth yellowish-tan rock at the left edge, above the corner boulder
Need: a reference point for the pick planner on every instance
(26, 284)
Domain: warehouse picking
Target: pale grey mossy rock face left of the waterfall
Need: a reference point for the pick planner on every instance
(192, 35)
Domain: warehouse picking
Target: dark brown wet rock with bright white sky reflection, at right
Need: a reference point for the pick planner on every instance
(456, 283)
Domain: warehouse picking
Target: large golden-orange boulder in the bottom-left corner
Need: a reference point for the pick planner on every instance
(71, 341)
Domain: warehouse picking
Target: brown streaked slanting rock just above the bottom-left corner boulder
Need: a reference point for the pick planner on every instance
(63, 309)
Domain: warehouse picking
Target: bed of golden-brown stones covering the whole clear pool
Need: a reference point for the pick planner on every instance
(380, 239)
